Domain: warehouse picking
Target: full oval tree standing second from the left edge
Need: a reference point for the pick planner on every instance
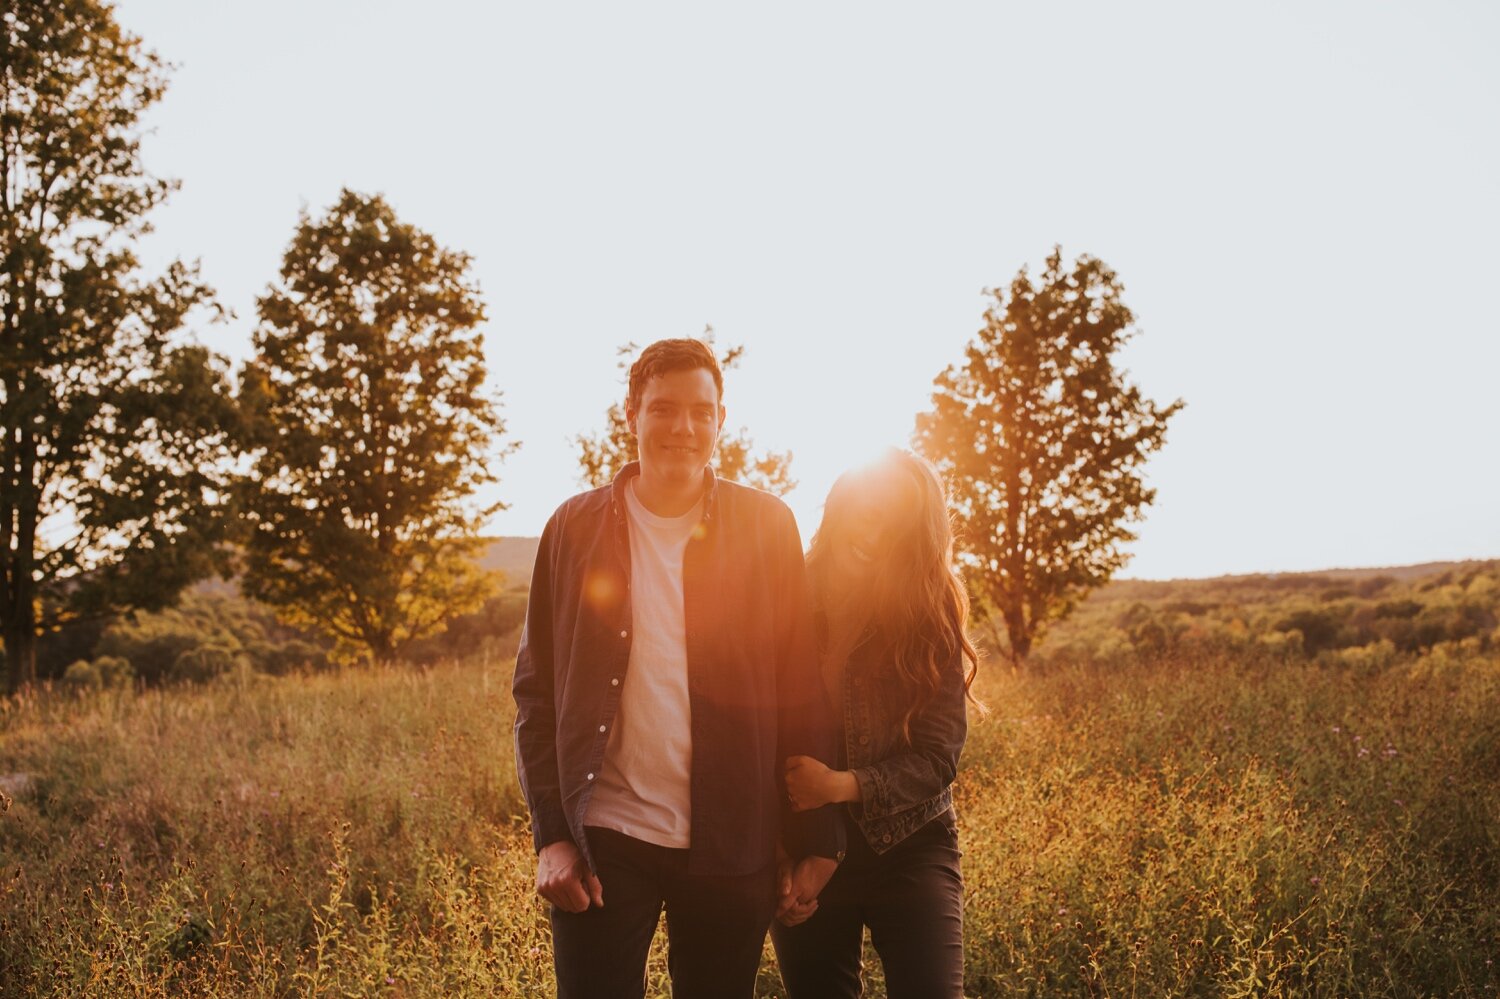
(373, 433)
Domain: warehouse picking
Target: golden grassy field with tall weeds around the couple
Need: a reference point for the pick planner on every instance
(1202, 827)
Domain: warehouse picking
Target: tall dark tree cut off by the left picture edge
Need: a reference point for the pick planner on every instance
(115, 436)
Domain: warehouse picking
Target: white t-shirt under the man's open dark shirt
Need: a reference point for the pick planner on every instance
(644, 787)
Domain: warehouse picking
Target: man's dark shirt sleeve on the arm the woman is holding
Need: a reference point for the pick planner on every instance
(806, 725)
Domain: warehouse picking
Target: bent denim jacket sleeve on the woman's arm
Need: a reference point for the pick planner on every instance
(932, 760)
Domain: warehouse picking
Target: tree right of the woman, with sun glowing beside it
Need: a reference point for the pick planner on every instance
(1042, 442)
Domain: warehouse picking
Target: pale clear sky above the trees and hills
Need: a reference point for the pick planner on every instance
(1303, 202)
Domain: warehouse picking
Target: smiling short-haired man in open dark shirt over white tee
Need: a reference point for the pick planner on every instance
(667, 671)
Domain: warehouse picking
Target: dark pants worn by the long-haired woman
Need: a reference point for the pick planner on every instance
(913, 901)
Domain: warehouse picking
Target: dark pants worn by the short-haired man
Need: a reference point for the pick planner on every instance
(715, 926)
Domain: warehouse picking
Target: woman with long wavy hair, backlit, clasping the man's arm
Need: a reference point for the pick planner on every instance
(898, 667)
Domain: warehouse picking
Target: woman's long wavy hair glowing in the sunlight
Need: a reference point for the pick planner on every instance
(913, 596)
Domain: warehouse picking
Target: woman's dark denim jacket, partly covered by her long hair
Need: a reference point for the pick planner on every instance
(902, 785)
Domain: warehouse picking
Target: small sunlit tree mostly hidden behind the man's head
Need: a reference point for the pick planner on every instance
(604, 455)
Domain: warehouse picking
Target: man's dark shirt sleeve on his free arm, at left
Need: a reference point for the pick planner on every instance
(536, 710)
